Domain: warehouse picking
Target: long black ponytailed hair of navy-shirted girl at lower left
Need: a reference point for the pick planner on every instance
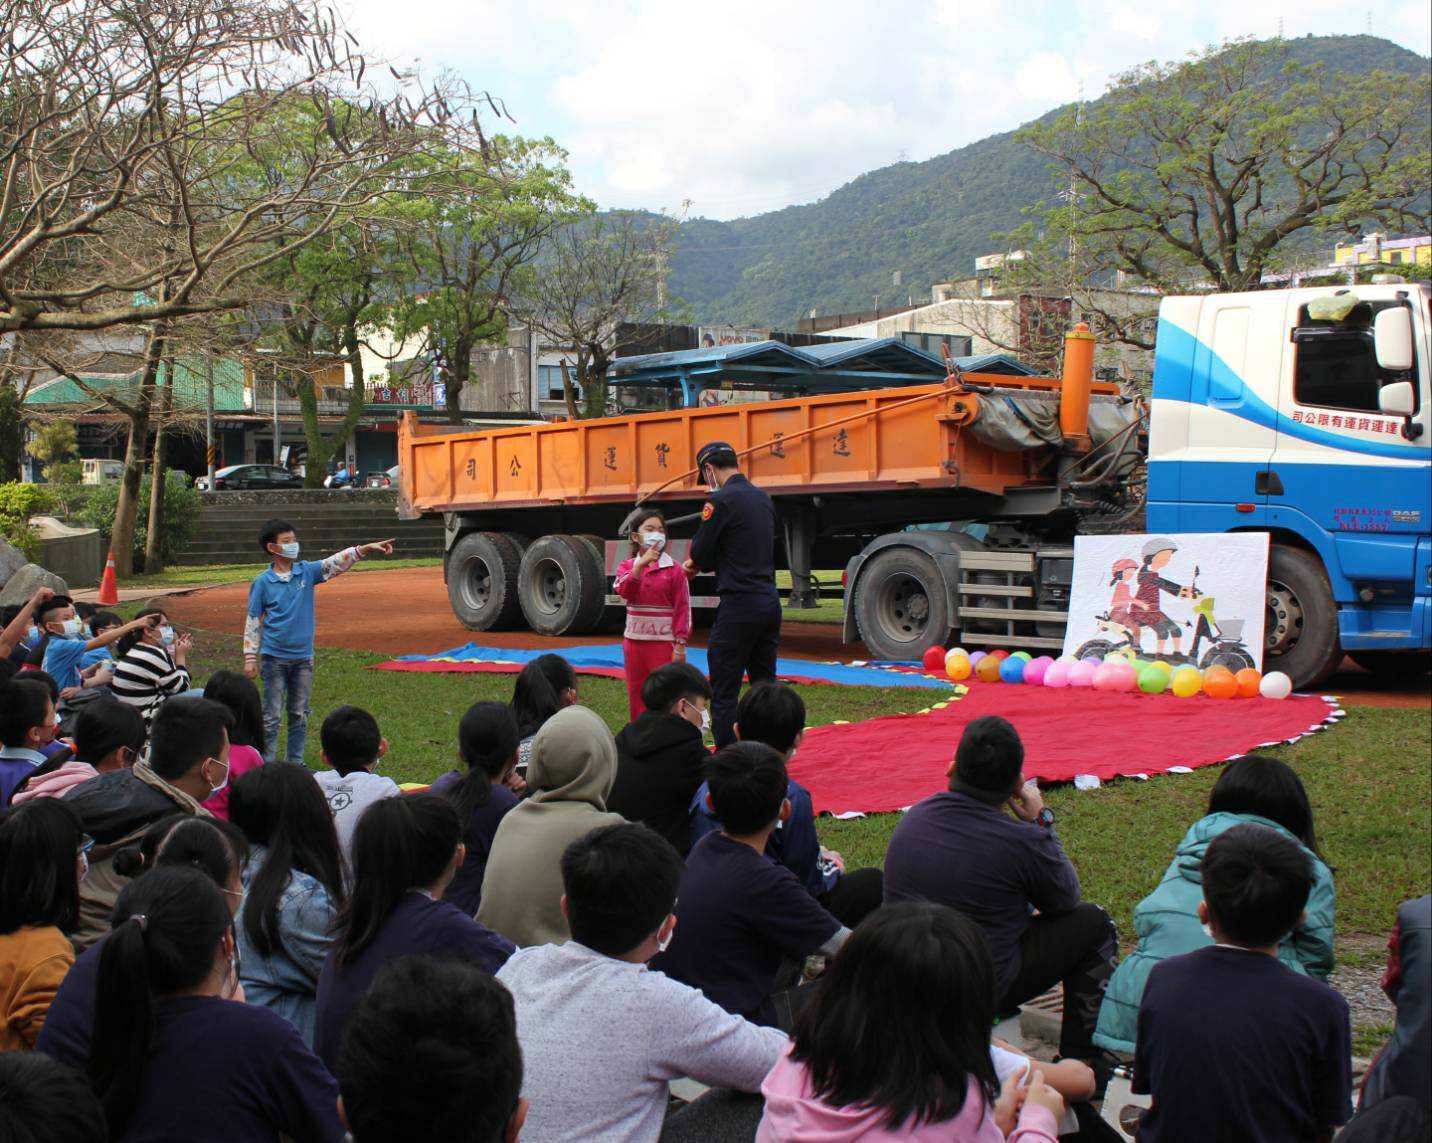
(168, 927)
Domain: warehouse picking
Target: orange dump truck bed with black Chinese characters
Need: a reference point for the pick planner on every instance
(869, 442)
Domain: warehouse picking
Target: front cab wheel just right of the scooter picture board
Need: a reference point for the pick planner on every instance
(1301, 631)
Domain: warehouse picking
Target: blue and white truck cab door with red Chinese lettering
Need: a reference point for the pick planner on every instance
(1344, 473)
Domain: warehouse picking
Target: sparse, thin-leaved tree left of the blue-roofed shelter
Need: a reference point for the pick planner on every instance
(595, 274)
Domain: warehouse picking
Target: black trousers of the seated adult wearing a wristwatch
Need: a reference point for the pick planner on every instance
(1079, 949)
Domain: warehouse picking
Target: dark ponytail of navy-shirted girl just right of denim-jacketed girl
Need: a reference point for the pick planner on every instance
(402, 844)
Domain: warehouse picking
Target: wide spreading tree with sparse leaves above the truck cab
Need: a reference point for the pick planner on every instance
(1206, 173)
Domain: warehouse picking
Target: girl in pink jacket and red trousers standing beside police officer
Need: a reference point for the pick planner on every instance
(659, 607)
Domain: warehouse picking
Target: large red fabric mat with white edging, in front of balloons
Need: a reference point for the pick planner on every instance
(893, 763)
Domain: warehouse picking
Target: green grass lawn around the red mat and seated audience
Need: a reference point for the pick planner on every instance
(1367, 777)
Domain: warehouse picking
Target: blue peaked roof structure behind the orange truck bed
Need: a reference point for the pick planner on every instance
(773, 366)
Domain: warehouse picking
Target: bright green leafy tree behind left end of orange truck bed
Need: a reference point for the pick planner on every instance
(470, 230)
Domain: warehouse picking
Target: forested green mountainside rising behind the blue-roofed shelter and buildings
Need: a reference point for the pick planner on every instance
(929, 221)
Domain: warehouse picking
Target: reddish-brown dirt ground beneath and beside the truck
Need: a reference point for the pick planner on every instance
(407, 612)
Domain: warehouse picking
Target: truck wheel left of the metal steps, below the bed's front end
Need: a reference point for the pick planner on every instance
(901, 608)
